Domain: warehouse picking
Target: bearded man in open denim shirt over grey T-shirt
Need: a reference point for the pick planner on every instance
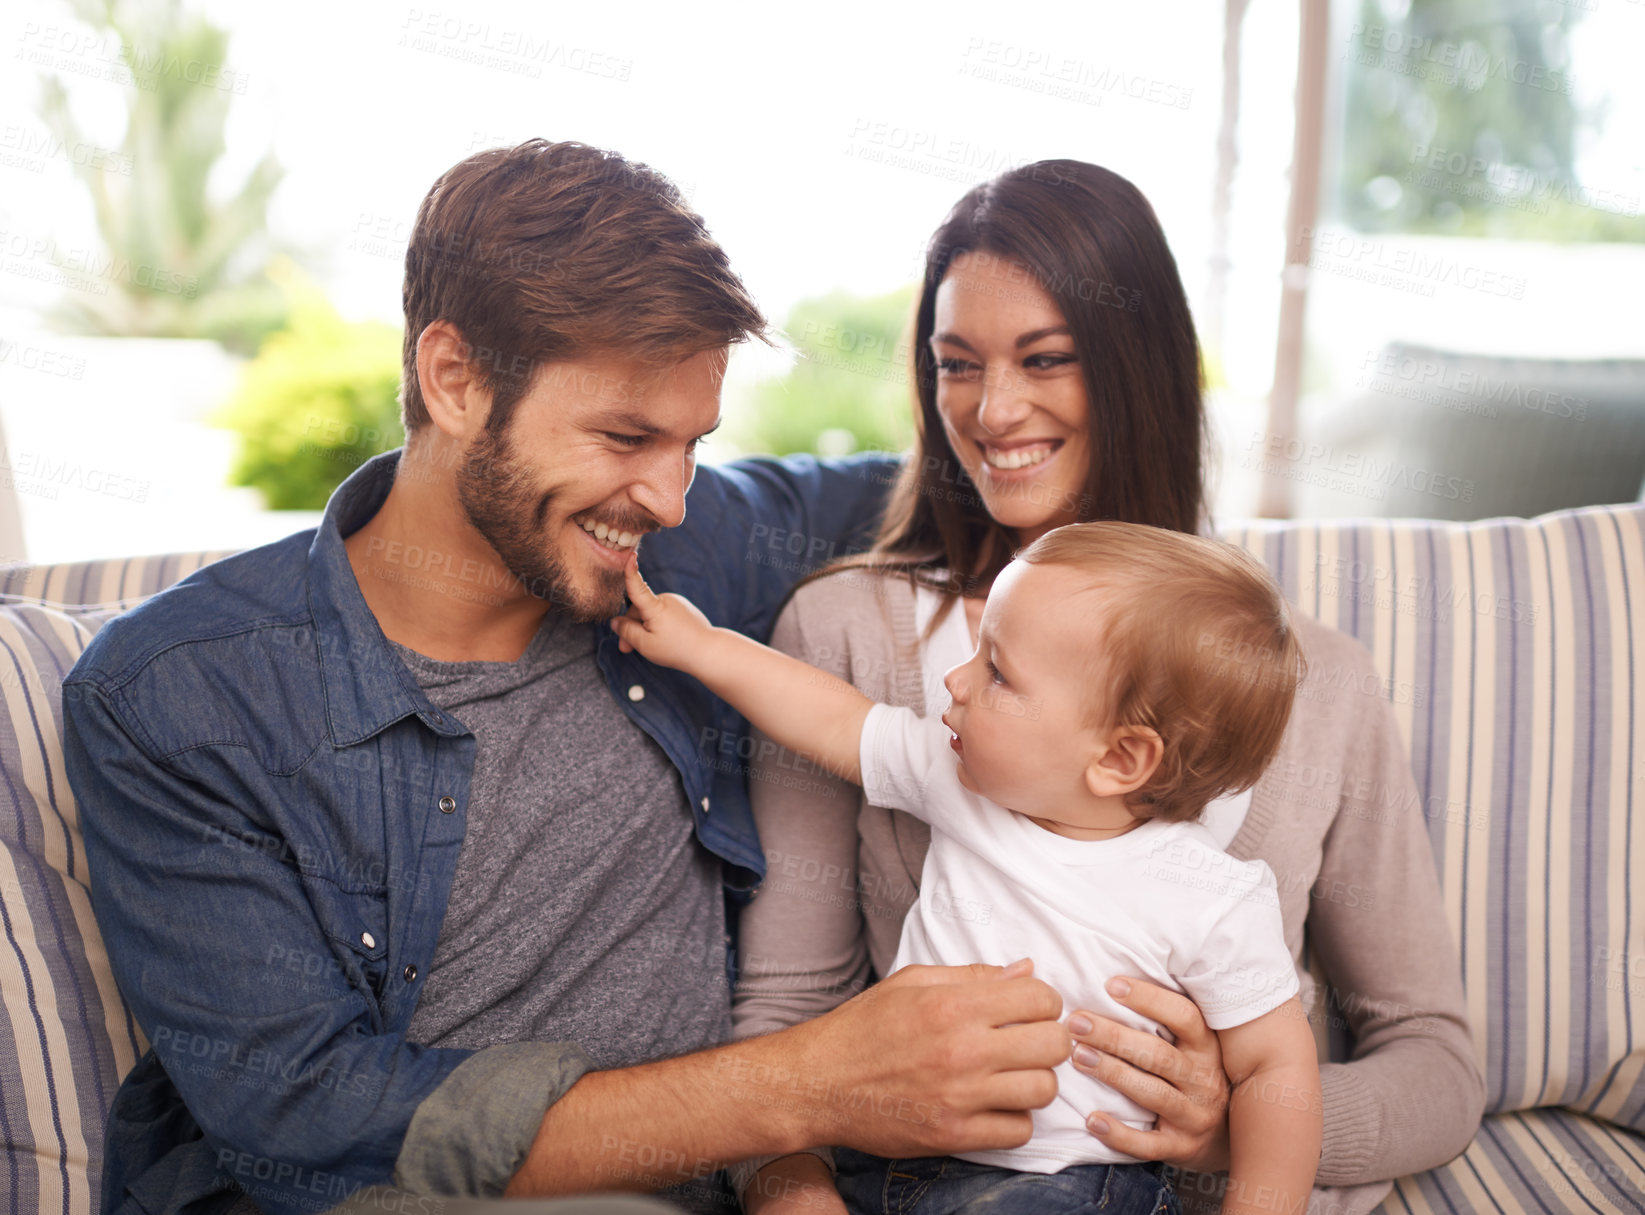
(405, 871)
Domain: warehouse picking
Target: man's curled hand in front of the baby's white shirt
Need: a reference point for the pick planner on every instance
(937, 1061)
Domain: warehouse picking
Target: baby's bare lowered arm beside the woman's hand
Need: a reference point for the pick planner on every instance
(1276, 1114)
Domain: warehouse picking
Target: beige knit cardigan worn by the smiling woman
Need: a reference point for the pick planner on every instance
(1337, 818)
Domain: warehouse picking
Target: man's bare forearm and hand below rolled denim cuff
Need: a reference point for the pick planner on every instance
(932, 1061)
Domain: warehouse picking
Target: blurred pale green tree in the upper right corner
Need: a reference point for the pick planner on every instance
(1462, 121)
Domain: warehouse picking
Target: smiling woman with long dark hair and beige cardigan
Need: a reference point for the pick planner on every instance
(1059, 381)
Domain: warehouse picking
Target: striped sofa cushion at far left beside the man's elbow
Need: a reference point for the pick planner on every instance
(68, 1035)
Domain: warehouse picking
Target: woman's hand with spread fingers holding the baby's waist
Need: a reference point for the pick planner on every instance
(1182, 1083)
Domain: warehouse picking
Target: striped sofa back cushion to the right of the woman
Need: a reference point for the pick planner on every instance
(1514, 655)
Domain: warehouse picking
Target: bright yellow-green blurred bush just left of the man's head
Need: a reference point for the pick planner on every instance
(318, 400)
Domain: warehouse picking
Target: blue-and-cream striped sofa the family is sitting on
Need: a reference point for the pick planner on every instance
(1513, 652)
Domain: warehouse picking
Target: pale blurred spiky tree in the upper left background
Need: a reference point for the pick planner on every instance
(183, 264)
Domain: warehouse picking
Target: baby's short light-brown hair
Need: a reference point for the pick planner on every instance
(1197, 645)
